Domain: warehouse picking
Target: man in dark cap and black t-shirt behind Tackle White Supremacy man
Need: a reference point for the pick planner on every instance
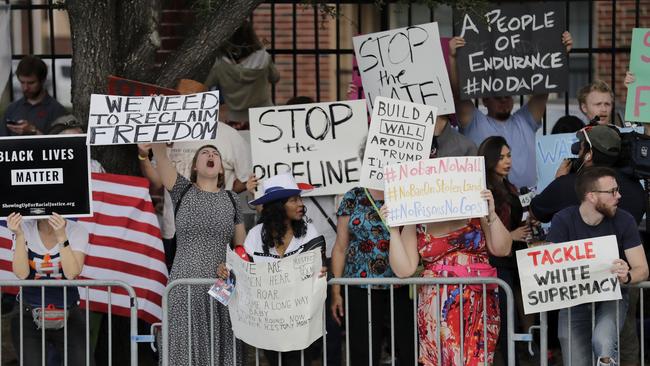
(596, 146)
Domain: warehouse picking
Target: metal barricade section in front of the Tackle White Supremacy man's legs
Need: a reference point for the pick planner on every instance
(543, 327)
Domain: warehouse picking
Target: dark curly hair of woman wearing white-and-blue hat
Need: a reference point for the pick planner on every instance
(273, 227)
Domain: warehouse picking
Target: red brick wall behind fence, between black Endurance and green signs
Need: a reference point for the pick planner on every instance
(625, 22)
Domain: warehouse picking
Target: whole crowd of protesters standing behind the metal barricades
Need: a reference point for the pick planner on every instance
(202, 218)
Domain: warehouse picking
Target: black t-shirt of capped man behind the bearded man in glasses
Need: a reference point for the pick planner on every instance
(561, 194)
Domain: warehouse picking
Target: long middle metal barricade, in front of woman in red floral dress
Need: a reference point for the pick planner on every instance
(505, 294)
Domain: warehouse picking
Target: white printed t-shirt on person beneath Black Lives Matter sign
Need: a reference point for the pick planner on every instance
(45, 264)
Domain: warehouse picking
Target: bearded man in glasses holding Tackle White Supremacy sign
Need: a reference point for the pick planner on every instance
(598, 215)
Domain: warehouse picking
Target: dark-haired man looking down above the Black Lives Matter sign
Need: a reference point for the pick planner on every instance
(34, 112)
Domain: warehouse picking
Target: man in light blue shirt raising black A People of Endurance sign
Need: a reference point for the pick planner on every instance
(517, 128)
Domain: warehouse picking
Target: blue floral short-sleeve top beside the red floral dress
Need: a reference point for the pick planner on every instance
(367, 253)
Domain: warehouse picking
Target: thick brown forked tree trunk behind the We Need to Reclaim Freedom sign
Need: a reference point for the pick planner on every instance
(121, 38)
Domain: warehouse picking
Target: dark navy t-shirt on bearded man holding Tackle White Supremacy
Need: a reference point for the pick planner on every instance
(567, 225)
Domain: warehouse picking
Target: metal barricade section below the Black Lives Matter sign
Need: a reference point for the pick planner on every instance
(83, 285)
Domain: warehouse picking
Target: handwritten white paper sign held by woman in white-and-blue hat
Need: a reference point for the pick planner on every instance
(278, 305)
